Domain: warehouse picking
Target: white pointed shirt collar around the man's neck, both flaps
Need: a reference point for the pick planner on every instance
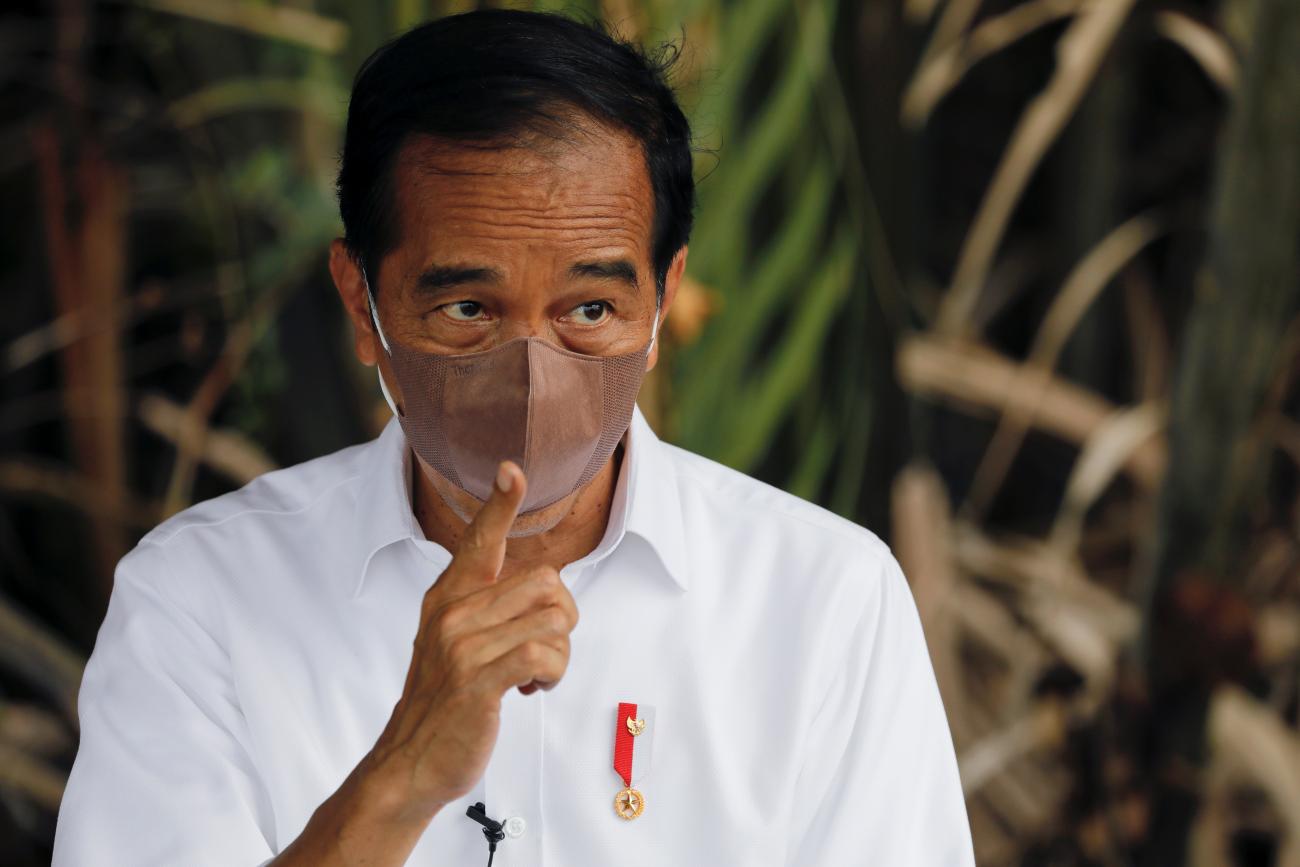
(645, 501)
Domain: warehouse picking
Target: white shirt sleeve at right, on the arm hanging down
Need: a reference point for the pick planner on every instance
(879, 782)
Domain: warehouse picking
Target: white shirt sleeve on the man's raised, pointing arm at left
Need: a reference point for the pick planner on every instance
(161, 777)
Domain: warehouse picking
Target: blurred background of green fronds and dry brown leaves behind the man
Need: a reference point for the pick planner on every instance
(1012, 283)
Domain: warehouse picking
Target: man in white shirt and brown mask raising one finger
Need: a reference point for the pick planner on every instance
(517, 597)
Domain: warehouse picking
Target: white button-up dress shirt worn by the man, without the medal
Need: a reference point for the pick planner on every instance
(257, 644)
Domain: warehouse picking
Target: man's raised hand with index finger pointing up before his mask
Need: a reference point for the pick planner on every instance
(479, 636)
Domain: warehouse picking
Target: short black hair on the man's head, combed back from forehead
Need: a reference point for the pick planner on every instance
(493, 77)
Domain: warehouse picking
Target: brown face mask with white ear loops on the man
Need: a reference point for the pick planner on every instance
(557, 414)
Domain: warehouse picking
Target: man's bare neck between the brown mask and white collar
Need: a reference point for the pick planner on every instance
(571, 539)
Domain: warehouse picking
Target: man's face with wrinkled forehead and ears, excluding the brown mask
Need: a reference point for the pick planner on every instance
(552, 241)
